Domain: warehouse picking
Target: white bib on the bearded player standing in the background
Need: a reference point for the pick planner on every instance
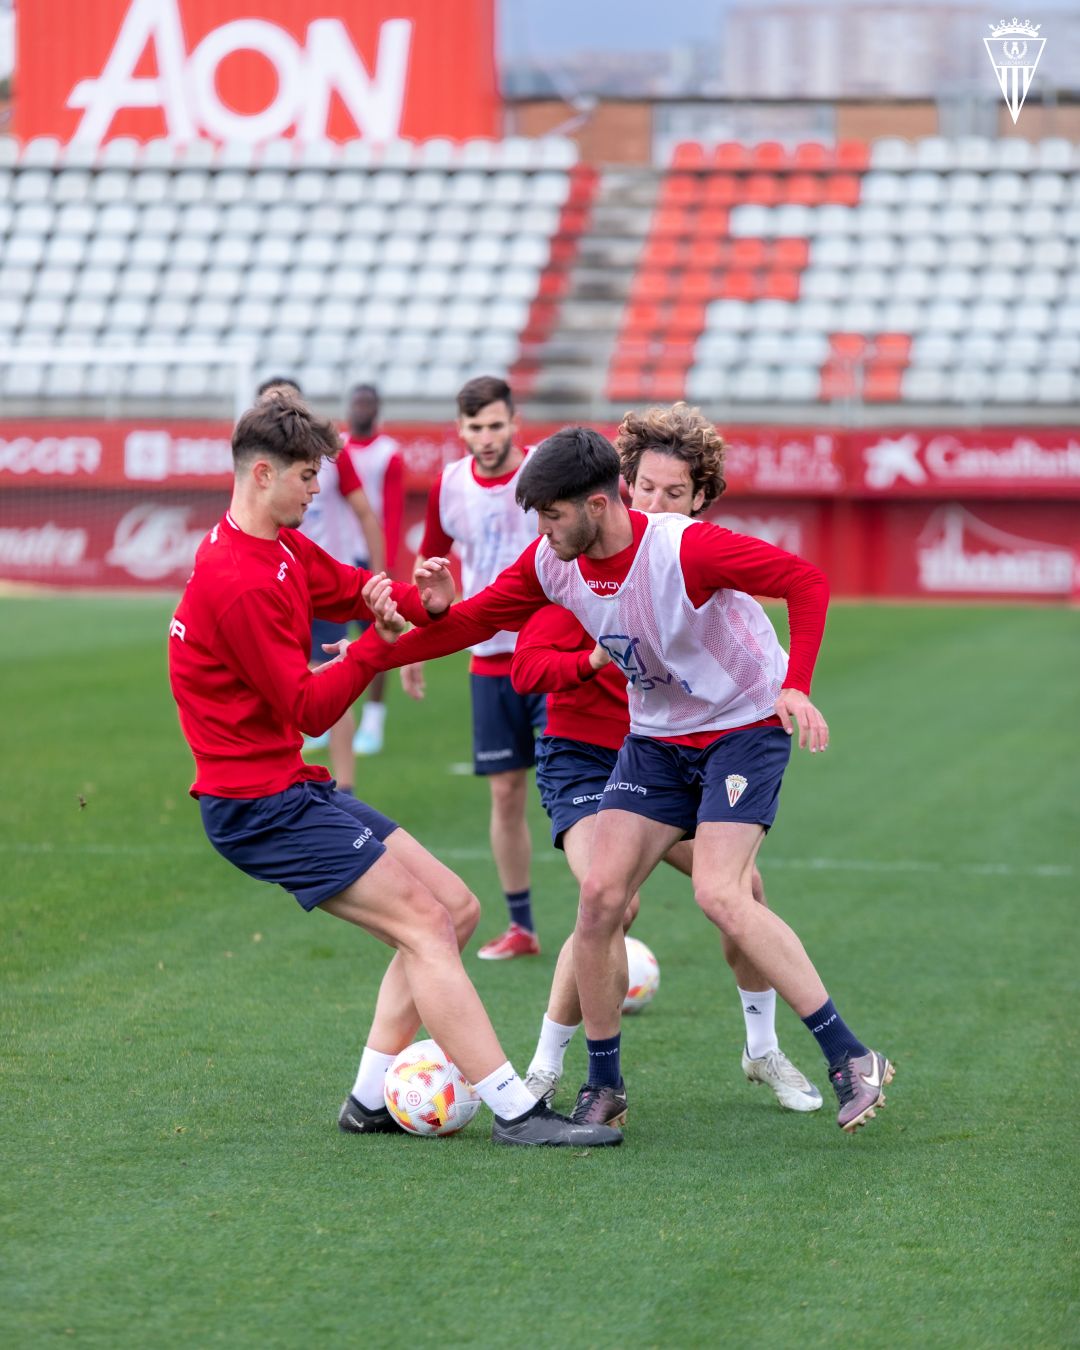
(491, 530)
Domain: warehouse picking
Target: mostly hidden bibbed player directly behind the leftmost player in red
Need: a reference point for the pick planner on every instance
(342, 522)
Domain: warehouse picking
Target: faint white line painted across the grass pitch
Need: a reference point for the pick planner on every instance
(481, 855)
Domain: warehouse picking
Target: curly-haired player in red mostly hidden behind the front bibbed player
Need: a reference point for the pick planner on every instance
(588, 724)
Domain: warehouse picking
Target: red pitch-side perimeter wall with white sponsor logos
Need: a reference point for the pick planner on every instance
(892, 514)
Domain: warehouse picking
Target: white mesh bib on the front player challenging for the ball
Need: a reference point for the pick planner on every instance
(689, 670)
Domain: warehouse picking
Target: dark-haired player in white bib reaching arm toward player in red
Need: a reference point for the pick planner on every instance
(713, 704)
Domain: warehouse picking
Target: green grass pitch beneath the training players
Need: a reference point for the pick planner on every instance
(178, 1039)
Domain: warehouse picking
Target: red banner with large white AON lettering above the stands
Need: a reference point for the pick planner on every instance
(252, 71)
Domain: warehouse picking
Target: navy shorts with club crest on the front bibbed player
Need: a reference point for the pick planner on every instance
(738, 778)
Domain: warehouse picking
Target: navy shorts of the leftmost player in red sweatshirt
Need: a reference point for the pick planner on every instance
(311, 839)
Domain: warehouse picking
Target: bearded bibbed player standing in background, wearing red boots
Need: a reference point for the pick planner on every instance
(473, 506)
